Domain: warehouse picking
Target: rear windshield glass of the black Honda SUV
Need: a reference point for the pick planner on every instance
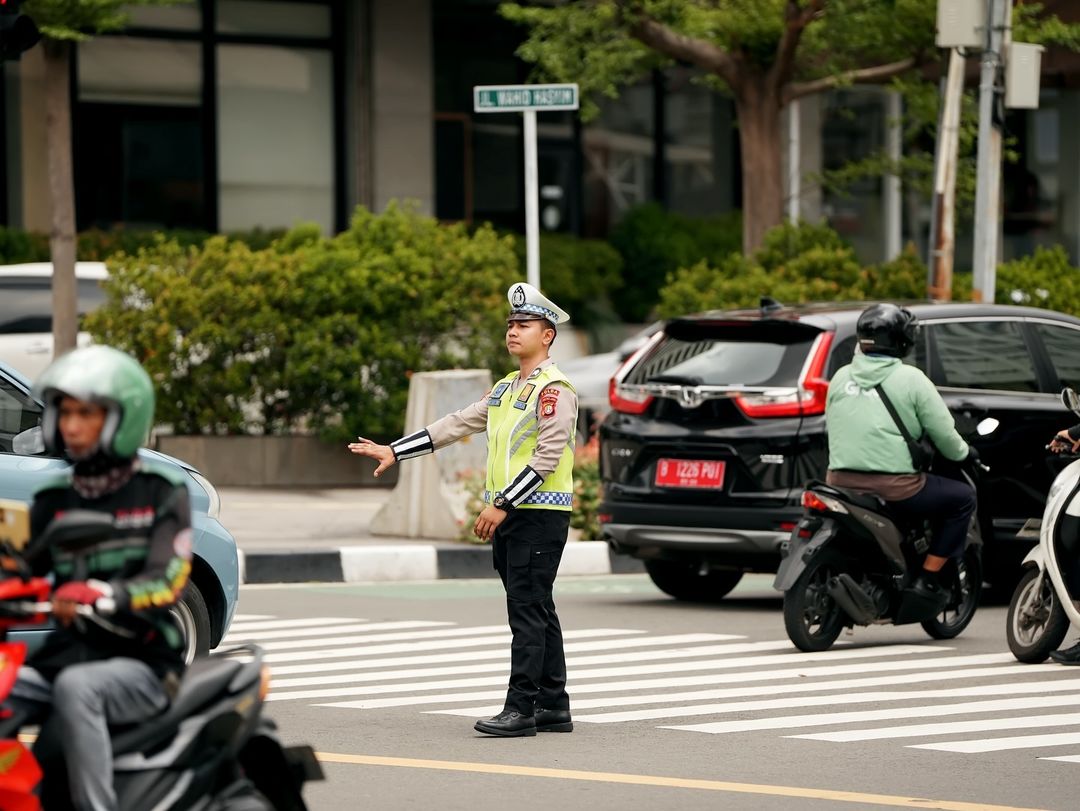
(722, 363)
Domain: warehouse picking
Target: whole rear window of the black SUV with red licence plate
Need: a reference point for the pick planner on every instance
(705, 356)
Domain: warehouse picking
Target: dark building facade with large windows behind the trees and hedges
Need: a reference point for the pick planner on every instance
(234, 115)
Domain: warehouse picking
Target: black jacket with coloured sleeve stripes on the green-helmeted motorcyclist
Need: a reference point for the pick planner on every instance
(147, 562)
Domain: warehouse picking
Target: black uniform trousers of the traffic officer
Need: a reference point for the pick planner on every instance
(528, 548)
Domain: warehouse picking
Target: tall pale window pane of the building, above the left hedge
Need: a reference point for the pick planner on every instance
(276, 147)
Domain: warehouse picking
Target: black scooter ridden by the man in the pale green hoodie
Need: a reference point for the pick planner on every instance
(850, 562)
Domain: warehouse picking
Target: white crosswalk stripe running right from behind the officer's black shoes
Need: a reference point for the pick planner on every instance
(737, 693)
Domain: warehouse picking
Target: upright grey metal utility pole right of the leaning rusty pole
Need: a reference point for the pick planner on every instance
(989, 185)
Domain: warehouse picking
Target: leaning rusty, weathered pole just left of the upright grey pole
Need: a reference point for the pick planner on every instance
(942, 249)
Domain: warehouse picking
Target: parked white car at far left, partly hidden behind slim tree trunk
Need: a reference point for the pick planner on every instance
(26, 307)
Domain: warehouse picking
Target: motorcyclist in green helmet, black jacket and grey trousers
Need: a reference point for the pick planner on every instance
(121, 664)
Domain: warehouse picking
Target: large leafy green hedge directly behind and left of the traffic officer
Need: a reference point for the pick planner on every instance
(310, 334)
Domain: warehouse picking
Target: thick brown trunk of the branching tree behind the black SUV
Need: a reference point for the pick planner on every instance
(759, 114)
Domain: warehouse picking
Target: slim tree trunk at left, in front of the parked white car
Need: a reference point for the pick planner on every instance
(58, 56)
